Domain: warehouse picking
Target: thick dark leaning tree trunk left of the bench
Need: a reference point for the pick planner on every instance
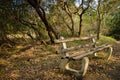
(36, 5)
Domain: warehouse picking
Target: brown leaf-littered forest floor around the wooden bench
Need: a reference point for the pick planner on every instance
(39, 62)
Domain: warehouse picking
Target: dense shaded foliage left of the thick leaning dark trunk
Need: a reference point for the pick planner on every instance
(19, 19)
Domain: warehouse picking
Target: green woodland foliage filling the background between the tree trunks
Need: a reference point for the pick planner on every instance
(13, 15)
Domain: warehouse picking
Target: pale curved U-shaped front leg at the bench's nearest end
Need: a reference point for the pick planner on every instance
(83, 70)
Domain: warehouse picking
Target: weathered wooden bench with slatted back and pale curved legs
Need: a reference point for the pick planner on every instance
(80, 55)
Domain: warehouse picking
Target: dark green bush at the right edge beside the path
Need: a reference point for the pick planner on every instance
(115, 25)
